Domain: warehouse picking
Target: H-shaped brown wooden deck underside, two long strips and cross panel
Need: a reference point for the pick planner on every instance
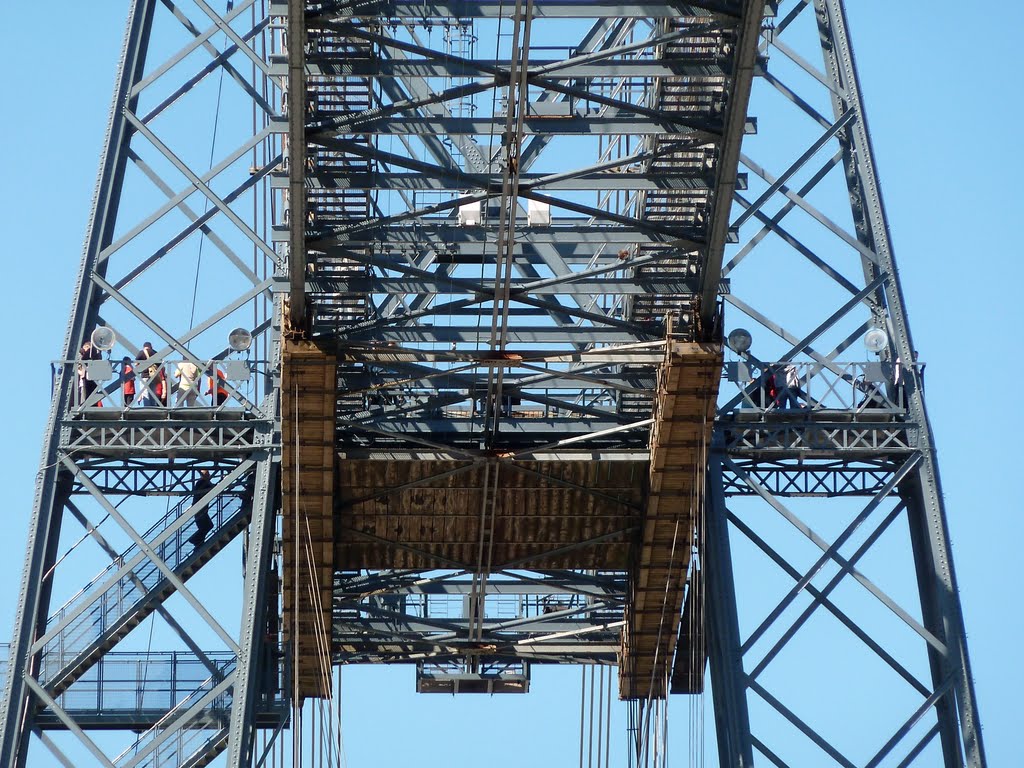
(638, 518)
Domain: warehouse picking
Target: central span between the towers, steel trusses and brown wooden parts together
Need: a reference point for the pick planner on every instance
(505, 314)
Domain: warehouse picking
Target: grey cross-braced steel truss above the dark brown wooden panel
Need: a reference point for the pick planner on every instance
(401, 172)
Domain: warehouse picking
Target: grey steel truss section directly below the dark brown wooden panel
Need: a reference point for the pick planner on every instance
(530, 618)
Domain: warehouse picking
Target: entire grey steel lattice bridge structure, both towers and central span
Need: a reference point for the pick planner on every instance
(480, 417)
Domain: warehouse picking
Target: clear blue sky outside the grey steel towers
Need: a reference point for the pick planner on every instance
(945, 119)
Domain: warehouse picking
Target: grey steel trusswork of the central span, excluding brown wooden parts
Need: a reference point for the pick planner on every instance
(493, 244)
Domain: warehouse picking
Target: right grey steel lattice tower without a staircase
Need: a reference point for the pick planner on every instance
(829, 558)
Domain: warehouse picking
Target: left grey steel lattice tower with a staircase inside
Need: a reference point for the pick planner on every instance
(118, 488)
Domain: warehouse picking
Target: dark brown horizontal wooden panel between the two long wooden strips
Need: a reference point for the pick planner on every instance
(433, 515)
